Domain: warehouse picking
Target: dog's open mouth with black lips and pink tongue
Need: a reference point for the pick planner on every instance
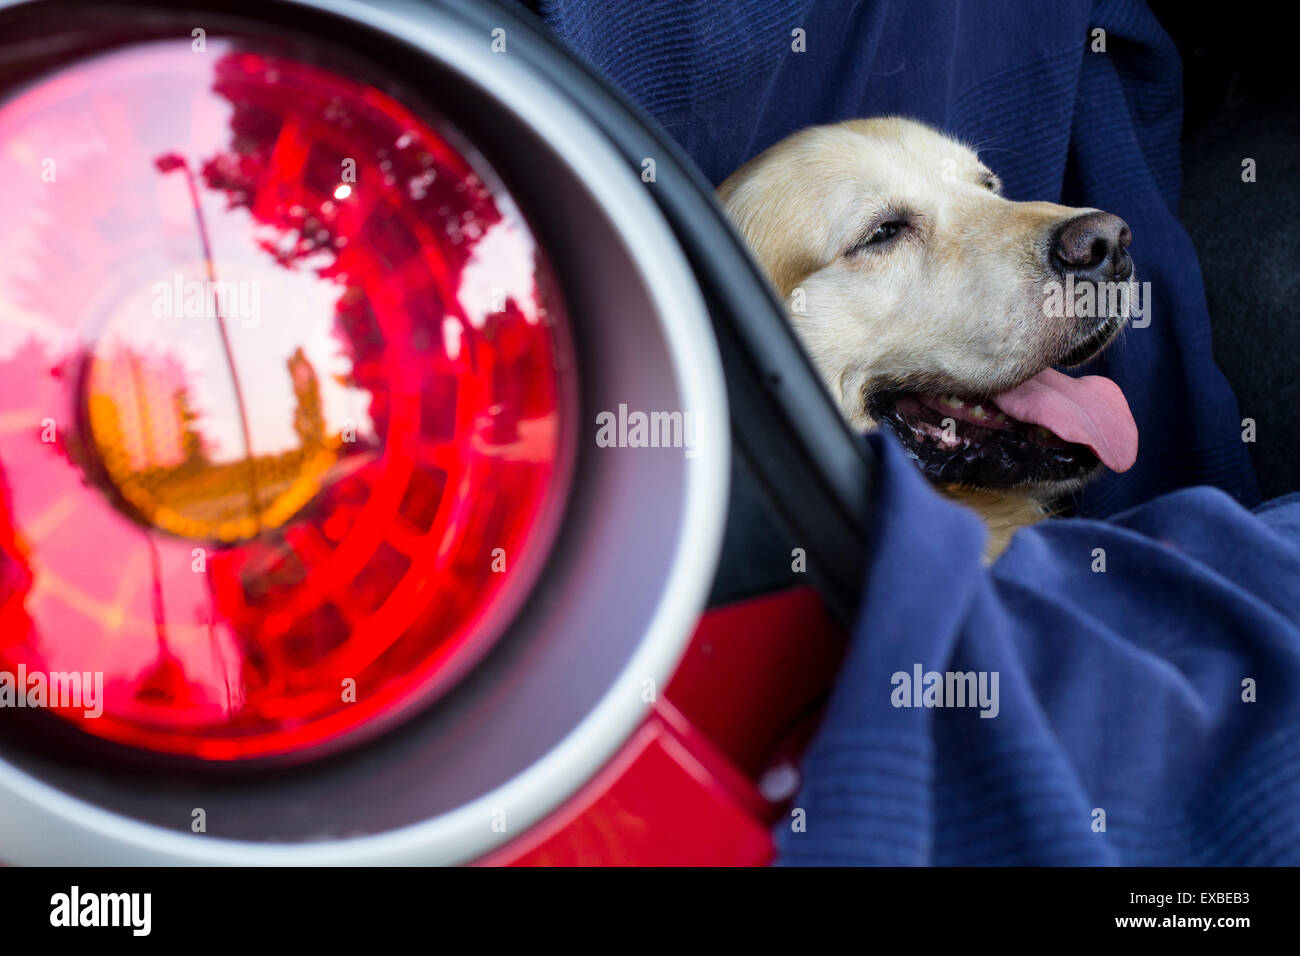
(1051, 430)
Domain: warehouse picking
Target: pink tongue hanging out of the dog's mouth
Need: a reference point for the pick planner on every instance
(1089, 412)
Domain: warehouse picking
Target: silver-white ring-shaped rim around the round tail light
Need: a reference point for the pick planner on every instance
(44, 825)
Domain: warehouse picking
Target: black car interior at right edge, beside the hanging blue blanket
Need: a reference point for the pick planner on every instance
(1241, 88)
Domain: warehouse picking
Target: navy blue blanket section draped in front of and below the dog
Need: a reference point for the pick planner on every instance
(1147, 689)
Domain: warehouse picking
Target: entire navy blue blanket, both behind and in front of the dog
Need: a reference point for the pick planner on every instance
(1146, 712)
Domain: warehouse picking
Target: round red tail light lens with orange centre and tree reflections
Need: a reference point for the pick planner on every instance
(283, 401)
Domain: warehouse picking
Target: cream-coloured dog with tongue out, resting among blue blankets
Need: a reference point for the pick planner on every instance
(926, 302)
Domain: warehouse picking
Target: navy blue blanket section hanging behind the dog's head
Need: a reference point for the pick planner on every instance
(1021, 80)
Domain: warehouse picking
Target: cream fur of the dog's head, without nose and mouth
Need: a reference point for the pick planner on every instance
(952, 304)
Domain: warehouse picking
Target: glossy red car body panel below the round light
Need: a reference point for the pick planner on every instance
(684, 790)
